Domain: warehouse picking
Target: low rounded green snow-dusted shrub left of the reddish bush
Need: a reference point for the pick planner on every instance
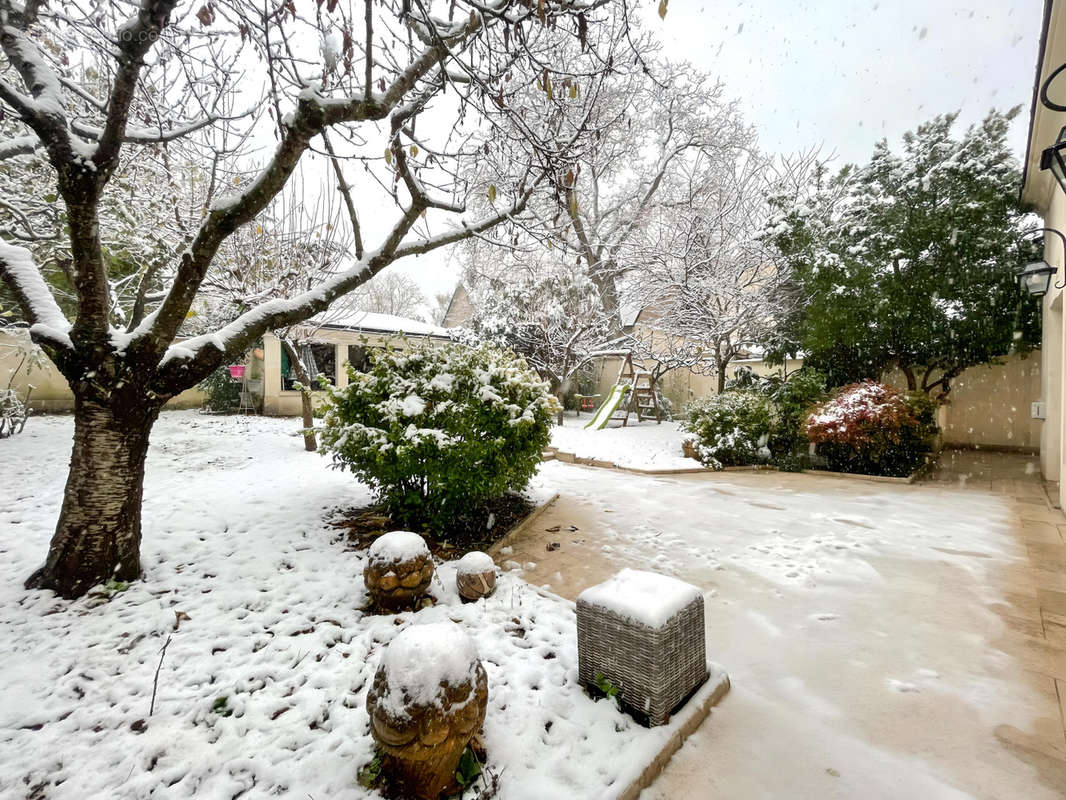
(731, 429)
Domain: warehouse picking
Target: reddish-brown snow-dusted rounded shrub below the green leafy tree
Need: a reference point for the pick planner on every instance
(875, 429)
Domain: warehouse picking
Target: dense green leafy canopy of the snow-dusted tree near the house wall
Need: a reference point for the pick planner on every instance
(908, 263)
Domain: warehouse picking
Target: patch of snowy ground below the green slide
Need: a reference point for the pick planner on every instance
(640, 446)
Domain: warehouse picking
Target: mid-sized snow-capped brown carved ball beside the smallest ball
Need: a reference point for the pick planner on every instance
(399, 570)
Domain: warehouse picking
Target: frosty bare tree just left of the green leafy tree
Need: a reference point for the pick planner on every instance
(712, 283)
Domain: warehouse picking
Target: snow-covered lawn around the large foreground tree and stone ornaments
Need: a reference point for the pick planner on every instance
(263, 687)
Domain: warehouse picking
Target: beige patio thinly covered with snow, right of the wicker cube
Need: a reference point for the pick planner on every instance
(864, 628)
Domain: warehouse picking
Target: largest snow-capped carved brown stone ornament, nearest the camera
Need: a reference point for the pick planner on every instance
(427, 702)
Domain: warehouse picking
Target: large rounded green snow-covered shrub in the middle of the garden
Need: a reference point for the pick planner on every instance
(435, 430)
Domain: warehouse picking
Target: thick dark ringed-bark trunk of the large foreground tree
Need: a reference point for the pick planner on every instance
(99, 534)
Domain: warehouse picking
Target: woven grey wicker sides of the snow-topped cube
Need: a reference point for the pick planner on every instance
(655, 669)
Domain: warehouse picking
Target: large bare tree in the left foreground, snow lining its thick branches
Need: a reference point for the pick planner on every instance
(222, 85)
